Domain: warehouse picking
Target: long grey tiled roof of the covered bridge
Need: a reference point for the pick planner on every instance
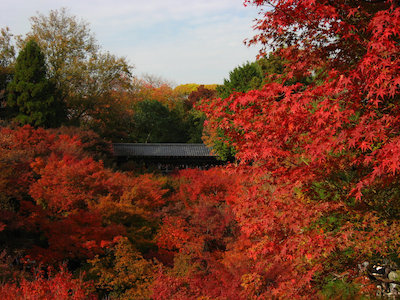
(171, 150)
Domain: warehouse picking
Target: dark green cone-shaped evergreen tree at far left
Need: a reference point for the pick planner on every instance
(30, 91)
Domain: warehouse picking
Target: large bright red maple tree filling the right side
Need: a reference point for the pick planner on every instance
(323, 158)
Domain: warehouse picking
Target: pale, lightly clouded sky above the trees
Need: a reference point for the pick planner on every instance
(182, 41)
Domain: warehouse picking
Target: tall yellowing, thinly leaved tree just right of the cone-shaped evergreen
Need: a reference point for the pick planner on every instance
(85, 75)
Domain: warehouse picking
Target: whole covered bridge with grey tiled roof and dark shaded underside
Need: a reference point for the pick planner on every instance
(165, 157)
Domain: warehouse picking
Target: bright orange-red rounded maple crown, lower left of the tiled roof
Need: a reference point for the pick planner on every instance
(68, 183)
